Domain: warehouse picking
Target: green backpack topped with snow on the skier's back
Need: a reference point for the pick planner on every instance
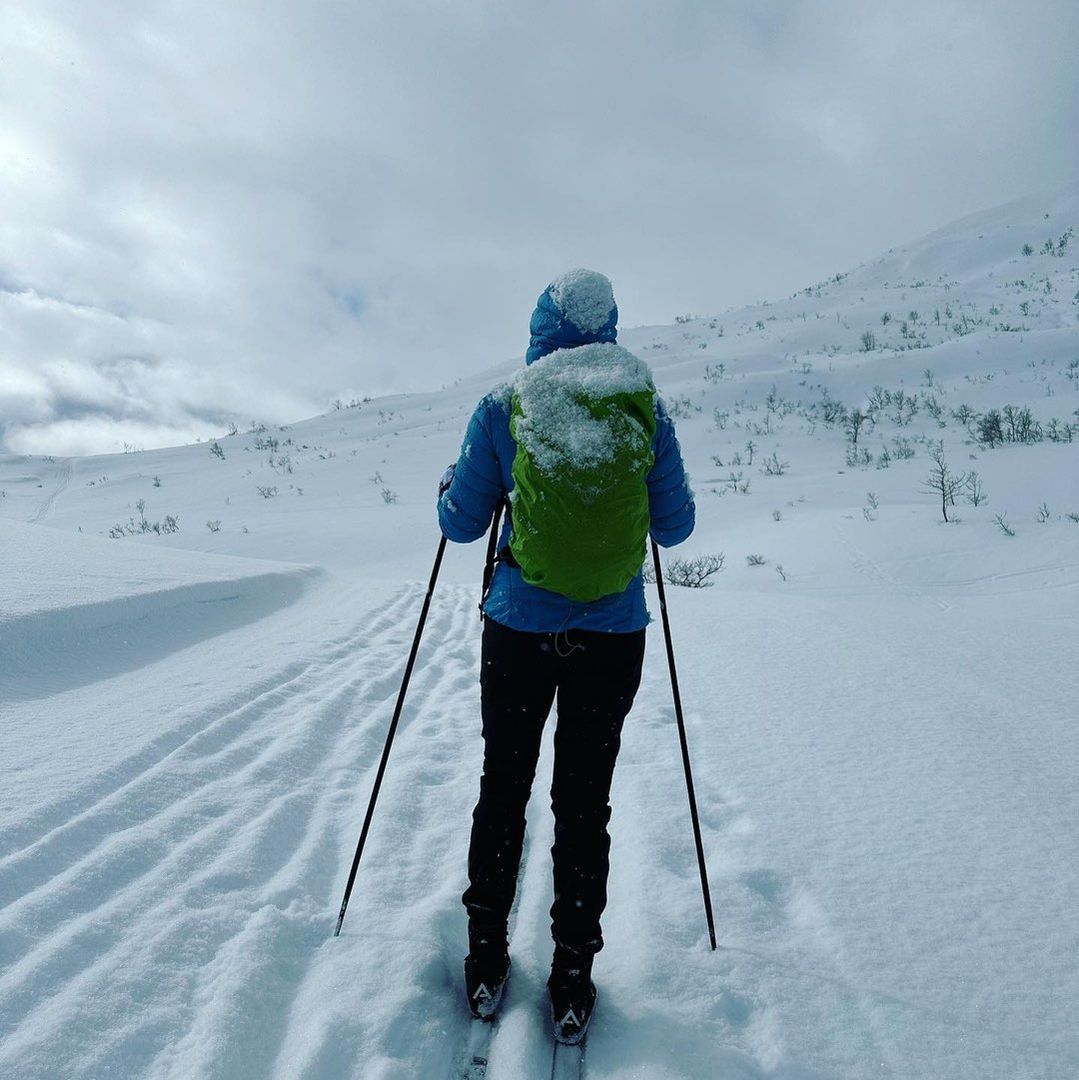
(584, 421)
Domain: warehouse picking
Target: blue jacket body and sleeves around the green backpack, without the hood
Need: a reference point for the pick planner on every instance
(483, 478)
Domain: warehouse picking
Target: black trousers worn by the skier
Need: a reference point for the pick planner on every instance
(596, 677)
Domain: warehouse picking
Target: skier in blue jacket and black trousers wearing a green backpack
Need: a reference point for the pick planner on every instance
(585, 455)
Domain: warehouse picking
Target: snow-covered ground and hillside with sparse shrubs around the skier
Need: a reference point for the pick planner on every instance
(200, 650)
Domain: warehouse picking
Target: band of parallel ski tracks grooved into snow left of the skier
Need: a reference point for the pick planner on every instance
(141, 913)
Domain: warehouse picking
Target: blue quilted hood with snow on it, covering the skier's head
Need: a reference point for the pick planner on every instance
(576, 309)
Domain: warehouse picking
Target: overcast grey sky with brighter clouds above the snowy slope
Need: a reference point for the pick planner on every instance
(220, 210)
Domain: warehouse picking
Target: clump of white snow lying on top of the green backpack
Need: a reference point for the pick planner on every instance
(557, 426)
